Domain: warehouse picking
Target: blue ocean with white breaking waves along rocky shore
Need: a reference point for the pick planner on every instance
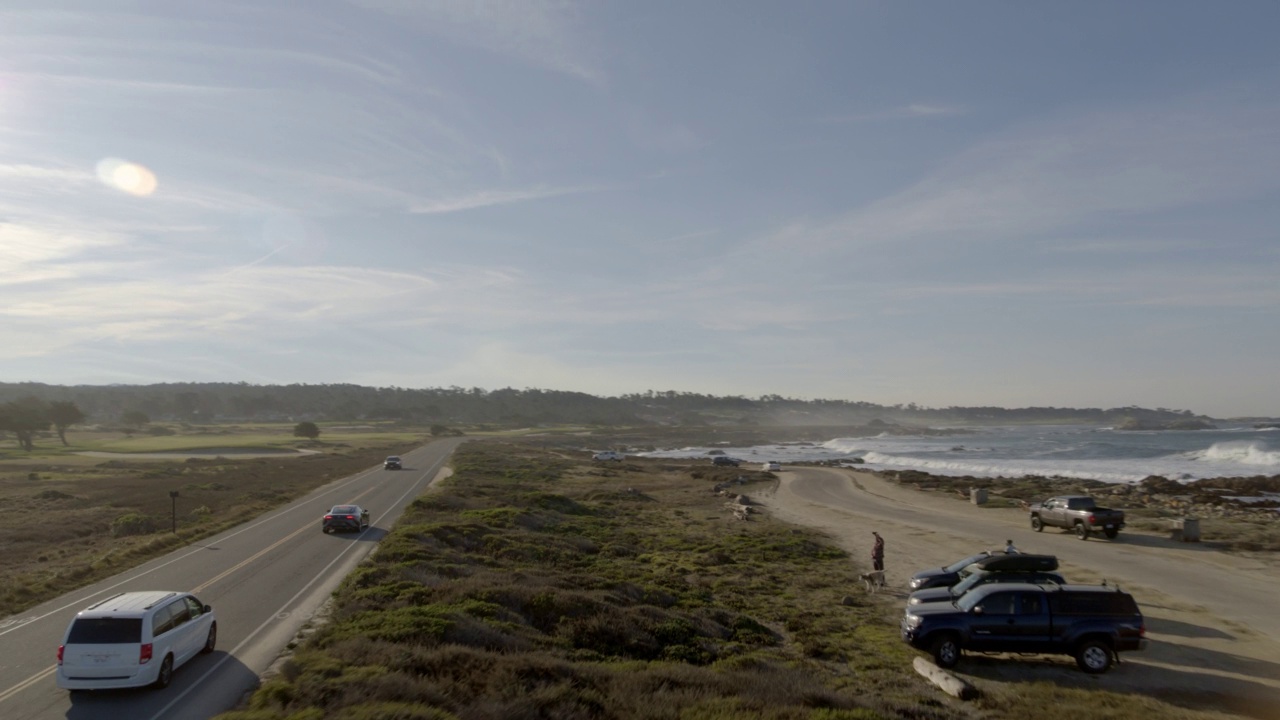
(1069, 452)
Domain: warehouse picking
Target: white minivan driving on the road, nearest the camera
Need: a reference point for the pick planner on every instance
(135, 639)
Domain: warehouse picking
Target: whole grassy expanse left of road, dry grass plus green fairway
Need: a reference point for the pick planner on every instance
(94, 517)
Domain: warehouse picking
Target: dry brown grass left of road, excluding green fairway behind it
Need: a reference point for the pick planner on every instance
(71, 544)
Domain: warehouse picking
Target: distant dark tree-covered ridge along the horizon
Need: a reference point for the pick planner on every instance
(221, 403)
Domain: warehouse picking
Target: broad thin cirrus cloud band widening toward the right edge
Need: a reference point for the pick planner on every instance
(1055, 177)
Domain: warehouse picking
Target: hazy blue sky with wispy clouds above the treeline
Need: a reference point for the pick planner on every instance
(982, 203)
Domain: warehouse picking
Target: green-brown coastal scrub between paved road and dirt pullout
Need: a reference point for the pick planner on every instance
(538, 585)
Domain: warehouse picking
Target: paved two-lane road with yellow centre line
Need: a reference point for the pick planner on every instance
(266, 580)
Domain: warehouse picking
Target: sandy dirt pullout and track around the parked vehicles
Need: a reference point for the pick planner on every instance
(1212, 617)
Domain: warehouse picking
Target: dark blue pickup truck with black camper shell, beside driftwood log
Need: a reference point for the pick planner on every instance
(1090, 623)
